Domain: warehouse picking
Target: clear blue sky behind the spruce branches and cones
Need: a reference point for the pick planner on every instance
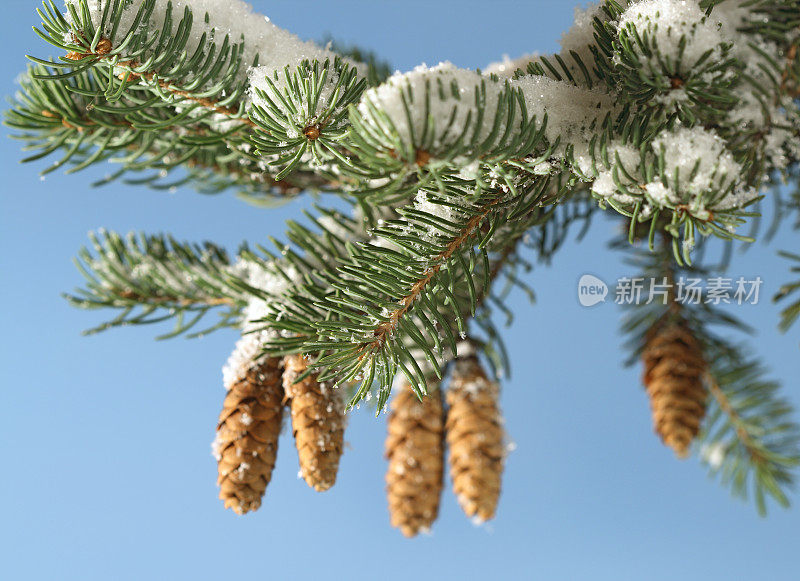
(108, 472)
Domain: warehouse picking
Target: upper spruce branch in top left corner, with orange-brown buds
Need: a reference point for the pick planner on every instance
(159, 59)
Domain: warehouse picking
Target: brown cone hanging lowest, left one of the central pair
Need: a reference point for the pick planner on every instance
(415, 450)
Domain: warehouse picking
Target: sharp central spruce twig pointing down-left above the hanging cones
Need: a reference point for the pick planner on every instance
(396, 302)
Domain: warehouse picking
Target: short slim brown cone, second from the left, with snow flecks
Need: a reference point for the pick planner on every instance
(317, 422)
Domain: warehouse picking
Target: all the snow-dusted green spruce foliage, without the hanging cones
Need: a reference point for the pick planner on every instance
(679, 117)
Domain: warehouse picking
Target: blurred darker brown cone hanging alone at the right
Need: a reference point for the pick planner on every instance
(673, 375)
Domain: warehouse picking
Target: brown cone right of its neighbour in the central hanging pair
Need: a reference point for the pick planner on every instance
(475, 439)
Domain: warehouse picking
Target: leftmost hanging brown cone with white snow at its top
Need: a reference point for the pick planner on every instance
(248, 428)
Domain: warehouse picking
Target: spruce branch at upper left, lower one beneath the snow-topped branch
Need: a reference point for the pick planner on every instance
(68, 116)
